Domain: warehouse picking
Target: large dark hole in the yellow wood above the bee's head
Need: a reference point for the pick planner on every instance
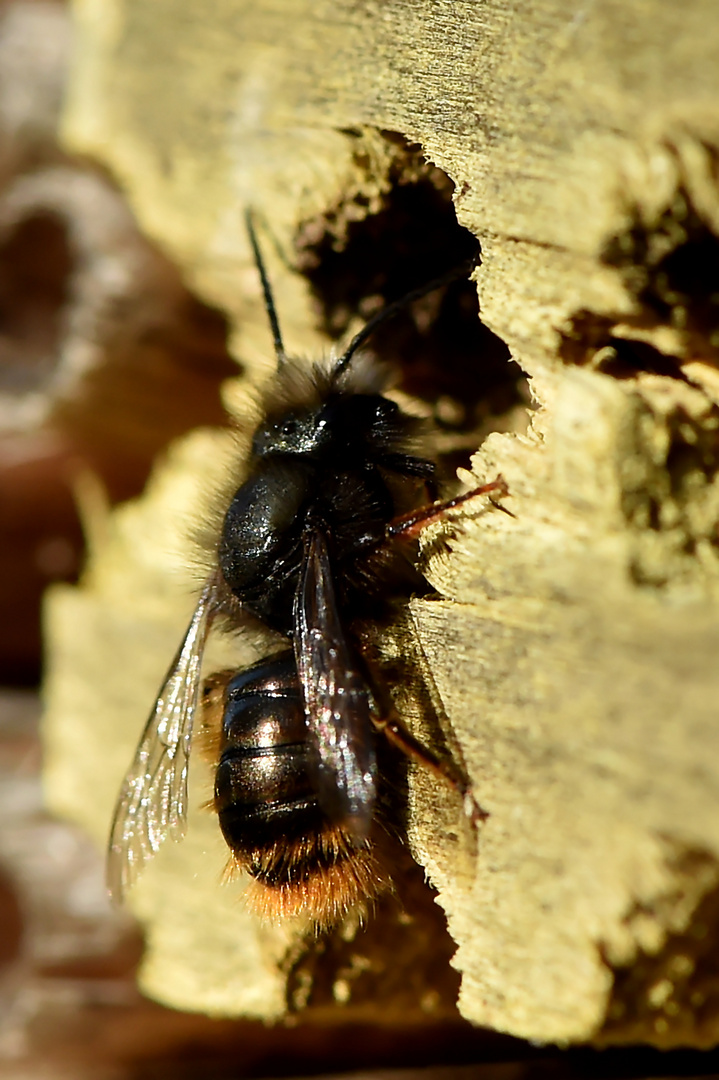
(444, 354)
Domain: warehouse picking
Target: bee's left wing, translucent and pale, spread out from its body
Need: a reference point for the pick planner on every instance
(153, 804)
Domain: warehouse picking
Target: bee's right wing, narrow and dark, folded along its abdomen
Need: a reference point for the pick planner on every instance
(337, 698)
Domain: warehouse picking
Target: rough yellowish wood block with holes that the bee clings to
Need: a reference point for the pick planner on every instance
(575, 645)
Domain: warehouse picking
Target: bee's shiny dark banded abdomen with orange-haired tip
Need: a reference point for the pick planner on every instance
(268, 808)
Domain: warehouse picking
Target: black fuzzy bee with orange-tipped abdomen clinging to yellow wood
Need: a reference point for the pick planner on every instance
(314, 546)
